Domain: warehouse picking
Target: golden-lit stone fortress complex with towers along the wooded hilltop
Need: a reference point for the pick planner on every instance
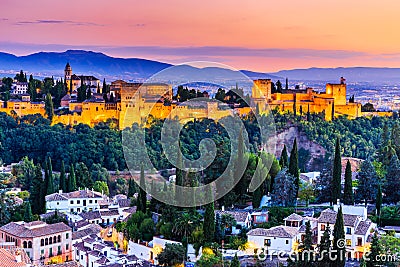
(127, 104)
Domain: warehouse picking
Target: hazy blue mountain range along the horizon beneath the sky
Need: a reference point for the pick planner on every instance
(101, 65)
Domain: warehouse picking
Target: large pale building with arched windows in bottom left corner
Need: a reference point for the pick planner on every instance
(42, 242)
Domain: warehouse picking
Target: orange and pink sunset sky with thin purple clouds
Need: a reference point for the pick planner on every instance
(259, 35)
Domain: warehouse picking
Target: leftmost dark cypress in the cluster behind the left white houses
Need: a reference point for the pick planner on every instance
(36, 196)
